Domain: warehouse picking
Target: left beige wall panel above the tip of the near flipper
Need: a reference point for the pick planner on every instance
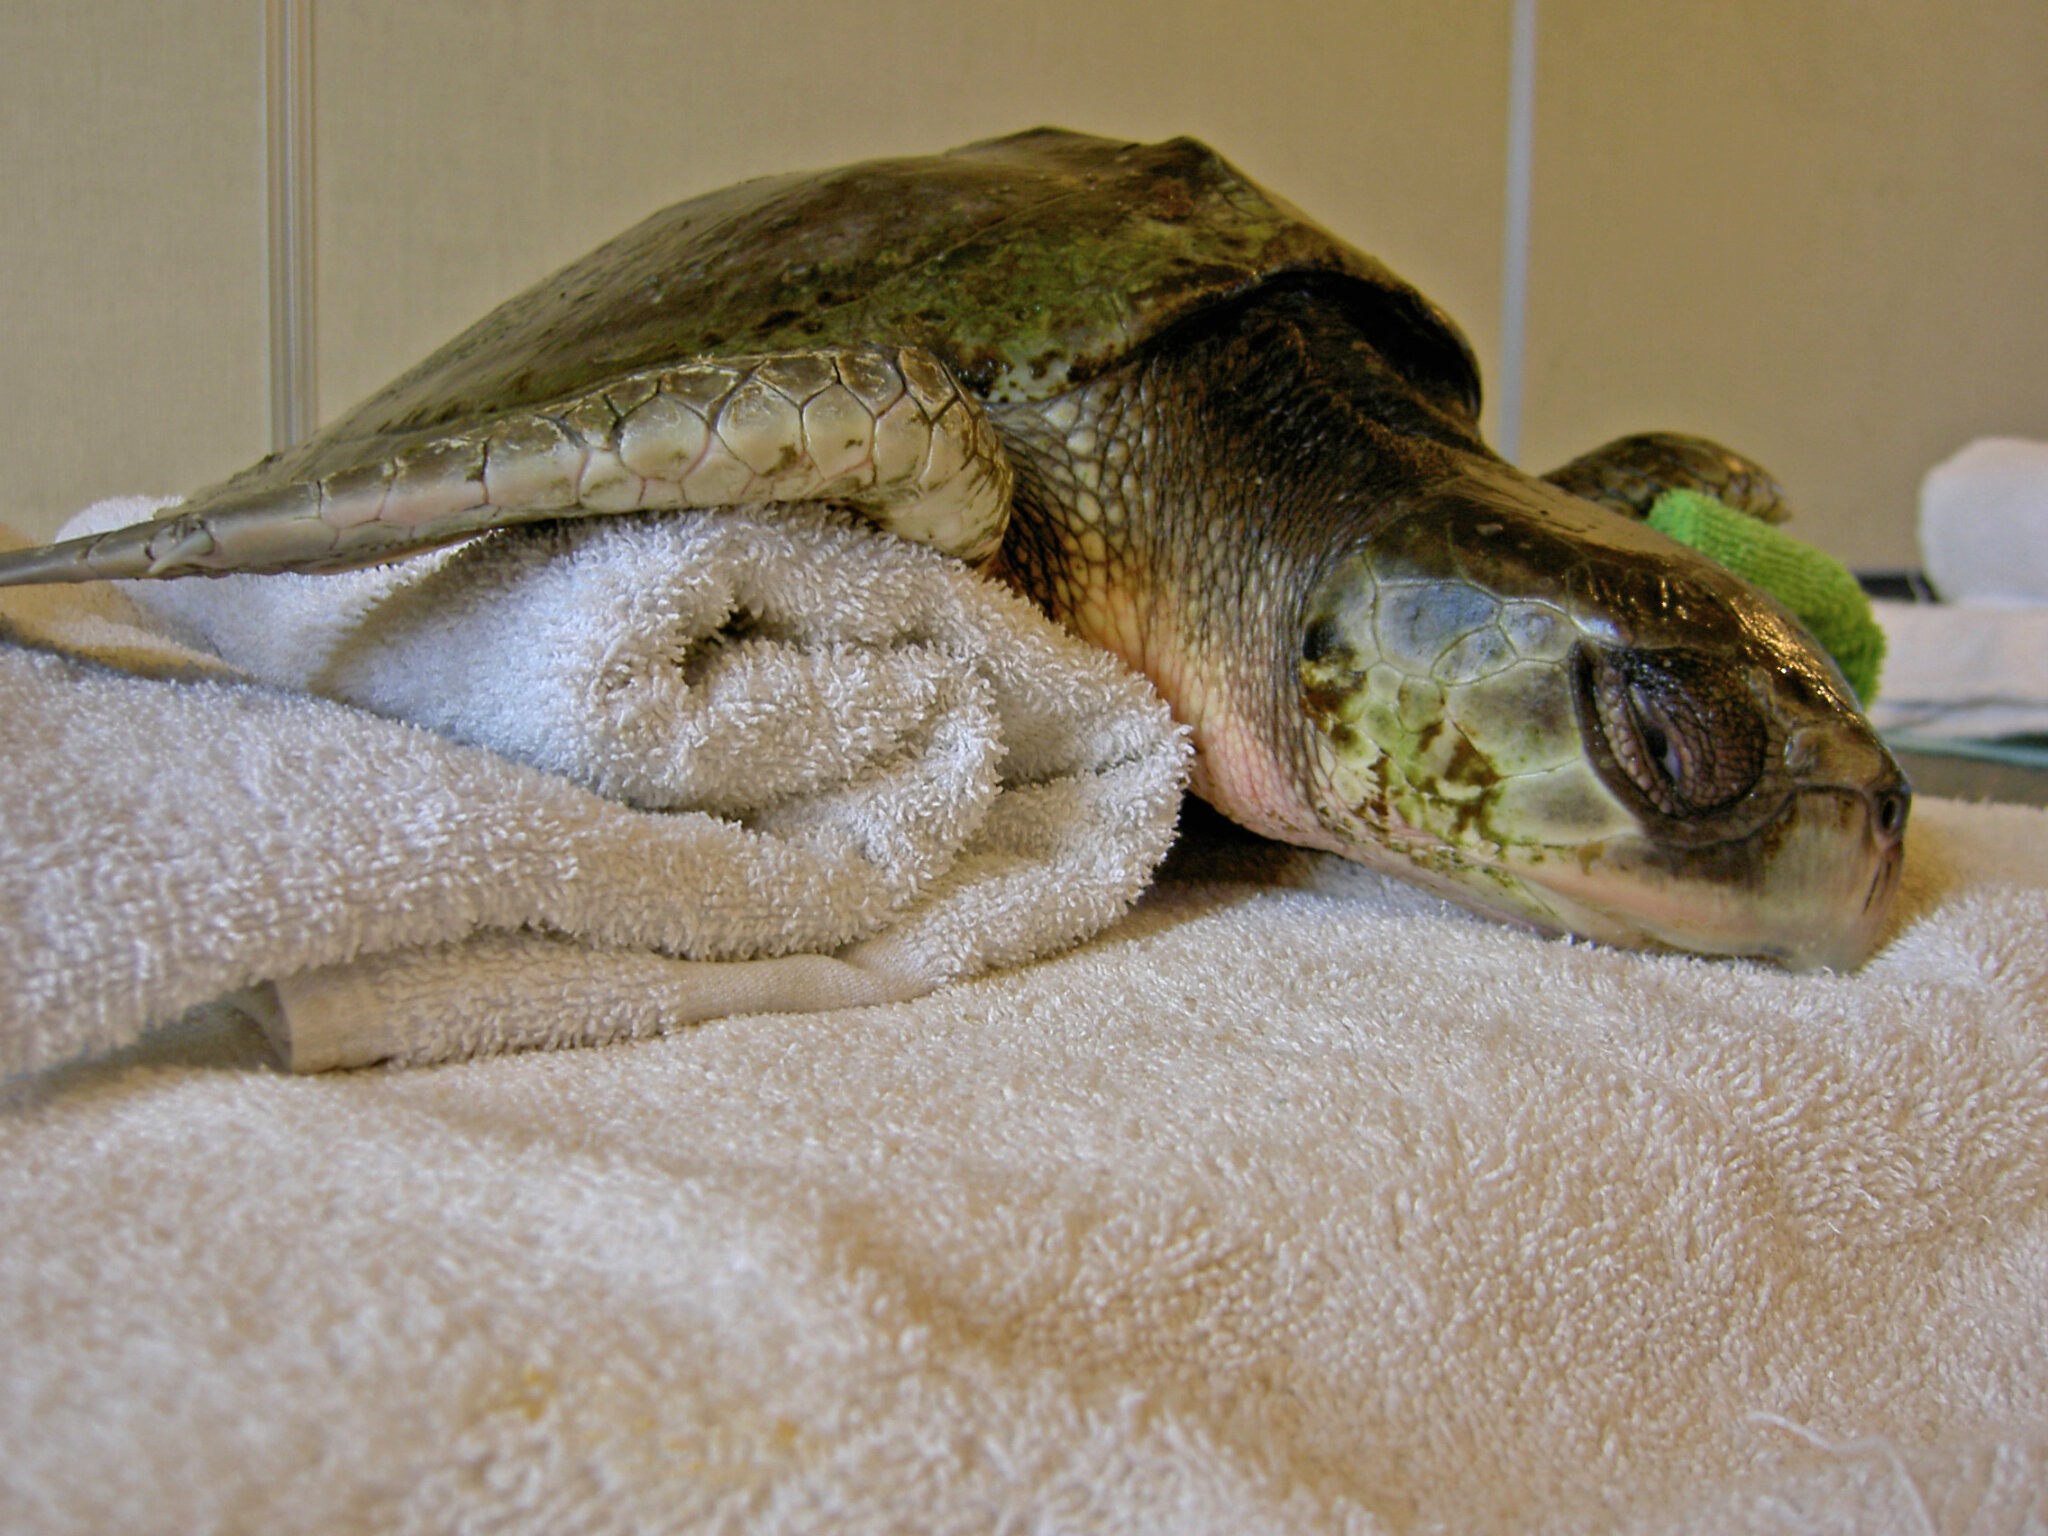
(132, 251)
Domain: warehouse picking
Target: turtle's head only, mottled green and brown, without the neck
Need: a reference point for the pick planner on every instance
(1555, 714)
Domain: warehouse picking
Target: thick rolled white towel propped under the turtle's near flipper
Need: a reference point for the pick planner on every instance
(777, 763)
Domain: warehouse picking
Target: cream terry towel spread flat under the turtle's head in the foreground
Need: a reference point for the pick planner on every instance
(1293, 1203)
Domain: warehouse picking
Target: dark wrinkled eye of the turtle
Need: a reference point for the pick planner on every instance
(1680, 730)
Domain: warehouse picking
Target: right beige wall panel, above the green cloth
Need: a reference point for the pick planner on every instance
(1816, 230)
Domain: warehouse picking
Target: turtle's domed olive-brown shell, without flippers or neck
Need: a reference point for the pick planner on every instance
(1025, 265)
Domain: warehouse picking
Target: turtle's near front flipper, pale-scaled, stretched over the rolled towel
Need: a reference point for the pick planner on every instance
(886, 431)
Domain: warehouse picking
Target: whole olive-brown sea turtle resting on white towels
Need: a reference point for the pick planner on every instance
(1209, 437)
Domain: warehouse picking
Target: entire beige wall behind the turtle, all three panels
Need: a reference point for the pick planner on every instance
(1816, 230)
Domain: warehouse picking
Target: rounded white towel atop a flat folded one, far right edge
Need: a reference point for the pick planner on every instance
(1986, 523)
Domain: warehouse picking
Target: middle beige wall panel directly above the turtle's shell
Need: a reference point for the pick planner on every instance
(441, 191)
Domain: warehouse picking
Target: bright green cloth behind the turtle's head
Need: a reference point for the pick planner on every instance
(1818, 589)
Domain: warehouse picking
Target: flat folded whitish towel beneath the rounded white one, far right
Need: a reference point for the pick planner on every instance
(1963, 671)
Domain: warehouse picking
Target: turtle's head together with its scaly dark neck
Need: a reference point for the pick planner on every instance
(1394, 646)
